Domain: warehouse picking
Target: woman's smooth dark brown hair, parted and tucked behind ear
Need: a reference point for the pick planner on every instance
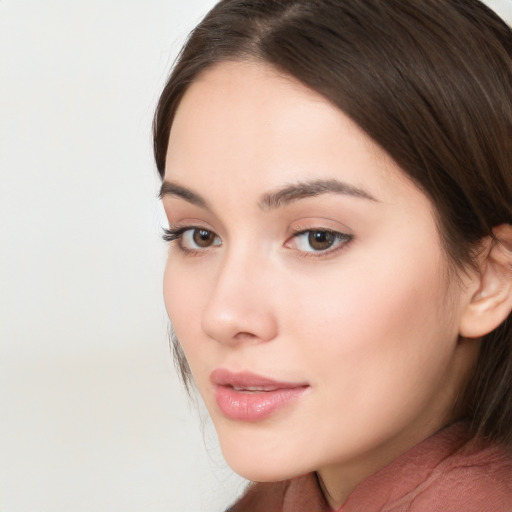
(430, 81)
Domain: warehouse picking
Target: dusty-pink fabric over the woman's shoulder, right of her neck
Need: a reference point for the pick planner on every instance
(448, 472)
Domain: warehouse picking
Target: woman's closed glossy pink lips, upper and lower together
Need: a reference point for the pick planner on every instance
(249, 397)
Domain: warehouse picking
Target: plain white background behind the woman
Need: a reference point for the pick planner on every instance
(92, 417)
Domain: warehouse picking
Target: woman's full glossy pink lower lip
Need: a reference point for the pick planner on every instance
(254, 405)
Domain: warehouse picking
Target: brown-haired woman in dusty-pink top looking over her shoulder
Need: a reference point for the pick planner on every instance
(337, 179)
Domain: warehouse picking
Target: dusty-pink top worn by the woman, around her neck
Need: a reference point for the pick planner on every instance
(444, 473)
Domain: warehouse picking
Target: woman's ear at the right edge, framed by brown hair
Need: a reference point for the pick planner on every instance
(491, 286)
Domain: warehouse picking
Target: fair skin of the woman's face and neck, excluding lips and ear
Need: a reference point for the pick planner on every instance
(371, 325)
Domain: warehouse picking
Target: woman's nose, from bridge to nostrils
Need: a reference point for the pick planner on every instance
(240, 308)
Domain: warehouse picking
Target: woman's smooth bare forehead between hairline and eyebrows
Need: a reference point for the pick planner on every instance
(243, 121)
